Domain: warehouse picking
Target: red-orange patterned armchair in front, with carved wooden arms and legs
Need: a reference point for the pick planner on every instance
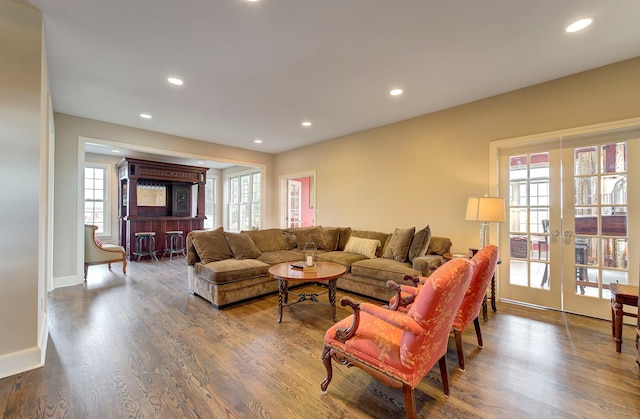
(400, 348)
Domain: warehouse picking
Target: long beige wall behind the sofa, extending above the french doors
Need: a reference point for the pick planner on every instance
(421, 171)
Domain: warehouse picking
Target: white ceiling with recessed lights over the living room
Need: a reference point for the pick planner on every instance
(258, 69)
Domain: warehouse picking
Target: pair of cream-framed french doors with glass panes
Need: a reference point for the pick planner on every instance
(572, 210)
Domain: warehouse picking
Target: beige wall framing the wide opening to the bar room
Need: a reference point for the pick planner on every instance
(67, 232)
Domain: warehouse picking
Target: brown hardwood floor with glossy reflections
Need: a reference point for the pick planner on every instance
(142, 346)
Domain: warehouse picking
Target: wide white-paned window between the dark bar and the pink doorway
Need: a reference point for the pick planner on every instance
(244, 201)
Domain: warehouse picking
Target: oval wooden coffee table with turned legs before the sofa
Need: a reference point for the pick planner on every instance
(328, 272)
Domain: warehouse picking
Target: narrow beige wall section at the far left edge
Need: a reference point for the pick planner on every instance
(21, 135)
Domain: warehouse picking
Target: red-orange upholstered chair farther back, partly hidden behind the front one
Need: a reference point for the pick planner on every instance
(485, 262)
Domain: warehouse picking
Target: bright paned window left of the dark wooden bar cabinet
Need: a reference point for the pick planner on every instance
(96, 203)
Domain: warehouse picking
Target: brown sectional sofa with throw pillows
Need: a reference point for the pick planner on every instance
(226, 268)
